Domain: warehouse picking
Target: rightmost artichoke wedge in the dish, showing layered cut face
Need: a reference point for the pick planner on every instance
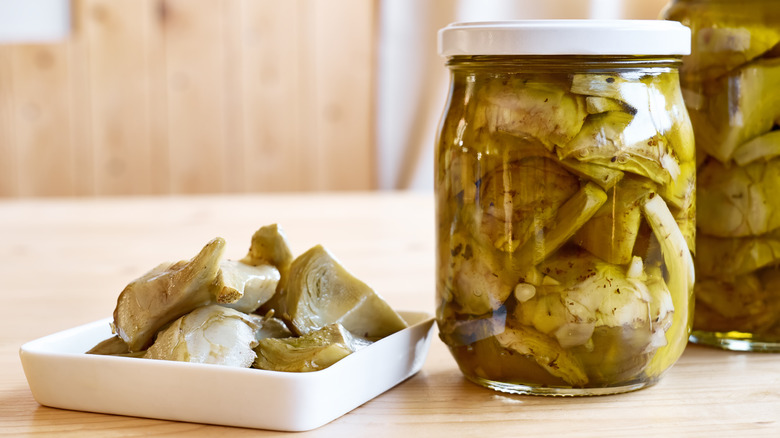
(319, 291)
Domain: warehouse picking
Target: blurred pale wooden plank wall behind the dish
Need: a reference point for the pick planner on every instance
(193, 96)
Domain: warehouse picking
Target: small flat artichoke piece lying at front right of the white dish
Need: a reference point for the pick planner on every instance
(312, 352)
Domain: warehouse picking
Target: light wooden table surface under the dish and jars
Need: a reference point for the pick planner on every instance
(64, 261)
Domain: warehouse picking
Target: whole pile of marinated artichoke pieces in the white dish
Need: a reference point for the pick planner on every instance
(203, 310)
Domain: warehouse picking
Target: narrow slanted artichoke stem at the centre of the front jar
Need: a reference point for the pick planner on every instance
(569, 218)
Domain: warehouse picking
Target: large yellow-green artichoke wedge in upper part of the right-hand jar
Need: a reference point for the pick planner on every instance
(740, 108)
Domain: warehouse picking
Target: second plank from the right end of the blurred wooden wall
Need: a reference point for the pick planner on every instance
(273, 127)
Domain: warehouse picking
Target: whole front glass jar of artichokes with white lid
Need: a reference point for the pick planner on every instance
(565, 185)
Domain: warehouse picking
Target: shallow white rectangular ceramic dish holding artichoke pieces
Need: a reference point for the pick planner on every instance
(60, 375)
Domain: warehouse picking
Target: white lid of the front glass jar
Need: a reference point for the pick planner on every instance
(565, 37)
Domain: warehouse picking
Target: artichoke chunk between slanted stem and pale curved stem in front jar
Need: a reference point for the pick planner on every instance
(612, 231)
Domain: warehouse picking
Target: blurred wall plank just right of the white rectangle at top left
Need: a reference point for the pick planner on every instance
(116, 32)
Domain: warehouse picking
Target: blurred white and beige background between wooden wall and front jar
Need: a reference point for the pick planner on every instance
(413, 79)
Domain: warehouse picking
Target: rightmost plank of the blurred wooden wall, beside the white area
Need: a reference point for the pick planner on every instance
(341, 94)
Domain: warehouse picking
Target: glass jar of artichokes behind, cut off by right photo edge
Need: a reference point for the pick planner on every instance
(730, 85)
